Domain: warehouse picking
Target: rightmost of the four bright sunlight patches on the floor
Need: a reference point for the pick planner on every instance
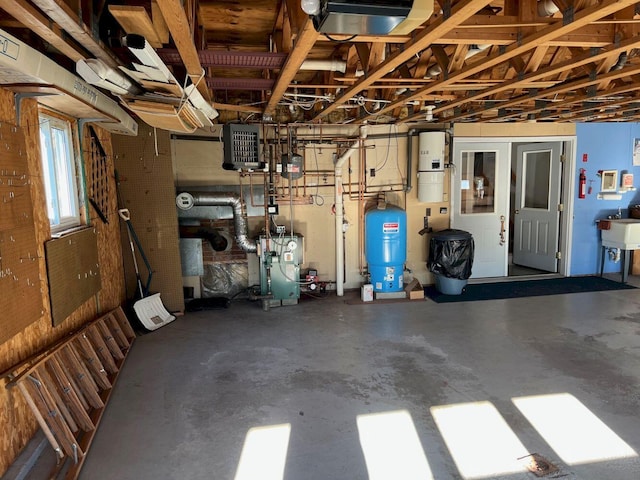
(572, 430)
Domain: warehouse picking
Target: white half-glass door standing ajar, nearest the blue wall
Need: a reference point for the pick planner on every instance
(536, 219)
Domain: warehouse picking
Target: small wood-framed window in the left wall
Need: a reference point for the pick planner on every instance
(60, 172)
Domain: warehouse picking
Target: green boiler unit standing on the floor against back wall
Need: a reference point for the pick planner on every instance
(280, 258)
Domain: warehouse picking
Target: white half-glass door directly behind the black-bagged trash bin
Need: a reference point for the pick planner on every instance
(480, 202)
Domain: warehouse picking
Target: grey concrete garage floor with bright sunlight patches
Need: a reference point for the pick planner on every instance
(191, 391)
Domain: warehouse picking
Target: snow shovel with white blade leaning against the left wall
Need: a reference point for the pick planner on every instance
(149, 309)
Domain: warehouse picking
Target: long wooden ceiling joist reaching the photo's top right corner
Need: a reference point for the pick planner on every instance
(584, 17)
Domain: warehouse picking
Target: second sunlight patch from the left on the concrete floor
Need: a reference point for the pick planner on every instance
(391, 447)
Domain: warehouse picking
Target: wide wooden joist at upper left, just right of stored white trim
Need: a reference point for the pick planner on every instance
(178, 24)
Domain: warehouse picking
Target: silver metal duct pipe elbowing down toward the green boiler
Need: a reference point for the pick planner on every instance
(187, 200)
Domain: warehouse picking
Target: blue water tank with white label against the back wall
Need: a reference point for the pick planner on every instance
(386, 247)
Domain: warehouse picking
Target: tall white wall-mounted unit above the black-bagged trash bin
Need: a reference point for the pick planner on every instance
(431, 167)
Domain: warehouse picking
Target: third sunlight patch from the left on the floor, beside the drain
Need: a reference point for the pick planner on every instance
(480, 441)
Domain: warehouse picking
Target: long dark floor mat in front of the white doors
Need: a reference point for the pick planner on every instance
(527, 288)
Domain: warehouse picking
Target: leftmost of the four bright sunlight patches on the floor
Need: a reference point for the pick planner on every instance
(264, 453)
